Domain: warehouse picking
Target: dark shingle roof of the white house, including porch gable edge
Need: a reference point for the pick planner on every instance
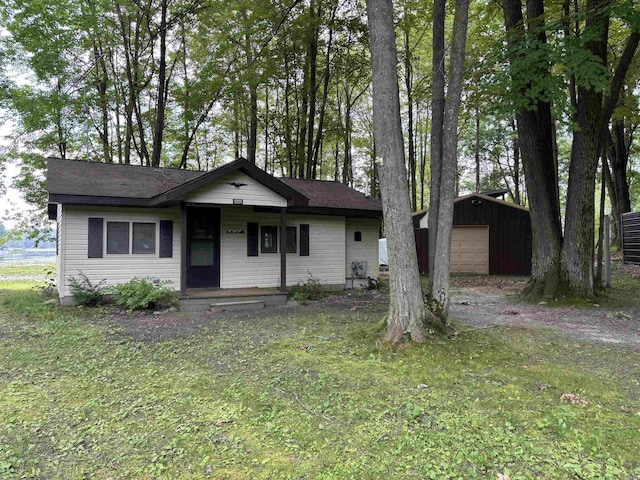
(82, 182)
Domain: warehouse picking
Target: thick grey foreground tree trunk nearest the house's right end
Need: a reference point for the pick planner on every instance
(407, 311)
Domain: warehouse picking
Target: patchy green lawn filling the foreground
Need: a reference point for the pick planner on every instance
(303, 393)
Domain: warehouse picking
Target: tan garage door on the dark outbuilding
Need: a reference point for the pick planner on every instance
(470, 249)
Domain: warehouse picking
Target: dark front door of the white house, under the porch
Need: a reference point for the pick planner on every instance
(203, 247)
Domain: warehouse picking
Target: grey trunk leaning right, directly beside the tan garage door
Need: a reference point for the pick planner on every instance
(449, 171)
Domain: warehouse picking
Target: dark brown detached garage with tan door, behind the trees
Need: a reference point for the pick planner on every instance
(490, 236)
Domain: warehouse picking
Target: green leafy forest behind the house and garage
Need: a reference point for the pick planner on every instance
(197, 83)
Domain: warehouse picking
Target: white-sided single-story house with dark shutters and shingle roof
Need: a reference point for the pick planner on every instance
(235, 227)
